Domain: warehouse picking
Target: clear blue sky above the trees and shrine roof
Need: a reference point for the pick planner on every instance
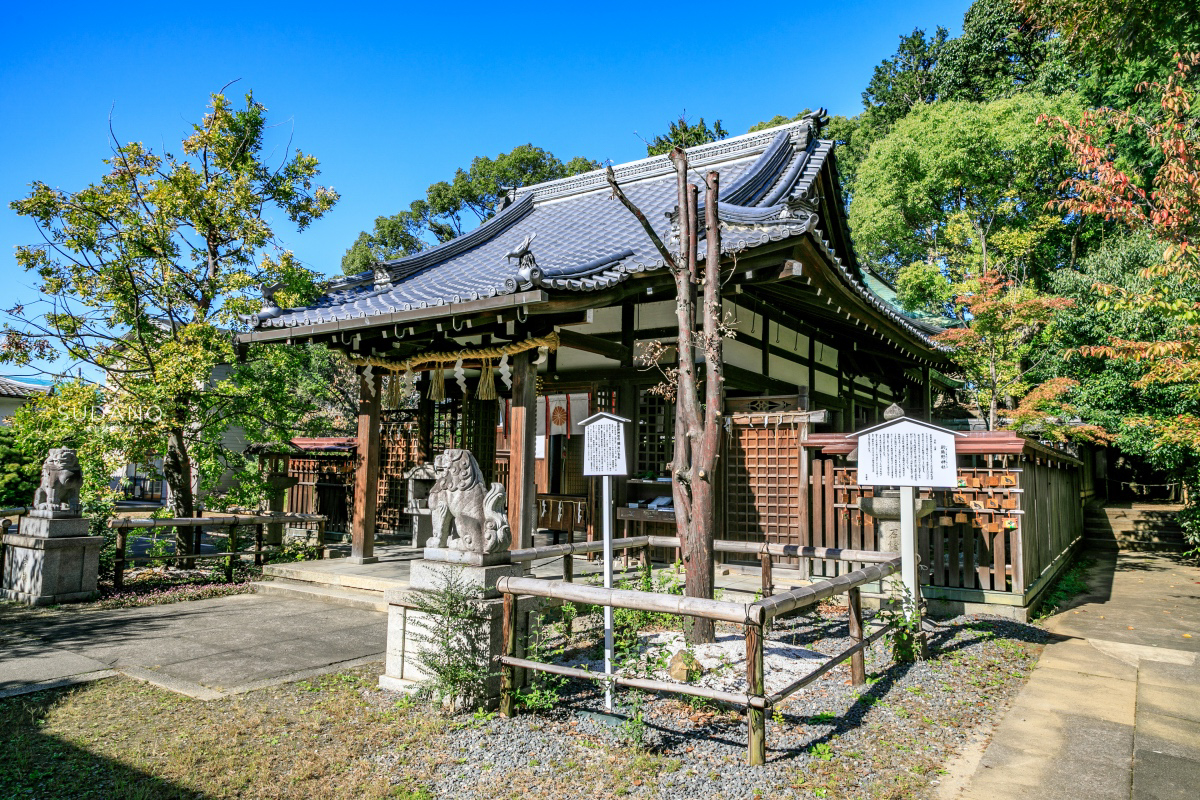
(397, 97)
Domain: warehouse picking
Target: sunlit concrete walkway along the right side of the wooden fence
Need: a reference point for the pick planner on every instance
(1113, 711)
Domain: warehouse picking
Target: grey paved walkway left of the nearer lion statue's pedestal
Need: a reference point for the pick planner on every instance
(205, 648)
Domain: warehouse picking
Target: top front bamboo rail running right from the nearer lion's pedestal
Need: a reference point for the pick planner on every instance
(716, 610)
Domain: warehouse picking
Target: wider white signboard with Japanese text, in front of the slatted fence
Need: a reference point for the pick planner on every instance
(908, 454)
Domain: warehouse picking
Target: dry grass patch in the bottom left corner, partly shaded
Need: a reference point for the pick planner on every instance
(121, 738)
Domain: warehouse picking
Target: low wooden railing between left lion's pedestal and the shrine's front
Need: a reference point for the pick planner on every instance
(231, 524)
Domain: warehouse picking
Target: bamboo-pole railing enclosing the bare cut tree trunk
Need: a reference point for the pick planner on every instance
(753, 617)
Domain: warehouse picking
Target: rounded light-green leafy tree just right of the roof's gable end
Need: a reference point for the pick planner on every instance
(961, 190)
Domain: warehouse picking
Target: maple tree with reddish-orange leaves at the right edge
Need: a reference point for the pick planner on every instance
(1169, 210)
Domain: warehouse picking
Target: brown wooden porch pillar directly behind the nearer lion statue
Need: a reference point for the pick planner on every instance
(523, 492)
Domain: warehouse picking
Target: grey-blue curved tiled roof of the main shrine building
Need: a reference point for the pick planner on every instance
(584, 240)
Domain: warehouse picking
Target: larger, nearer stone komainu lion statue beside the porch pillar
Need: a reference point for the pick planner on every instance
(466, 515)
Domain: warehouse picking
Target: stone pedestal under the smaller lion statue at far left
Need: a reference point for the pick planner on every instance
(46, 572)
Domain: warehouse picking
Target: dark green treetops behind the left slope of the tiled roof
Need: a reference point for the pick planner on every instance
(451, 208)
